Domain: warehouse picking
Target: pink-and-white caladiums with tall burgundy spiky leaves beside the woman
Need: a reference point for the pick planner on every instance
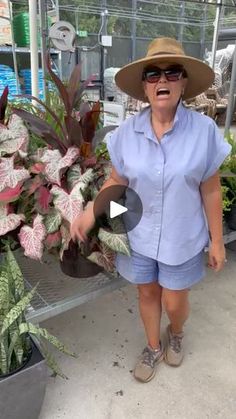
(42, 192)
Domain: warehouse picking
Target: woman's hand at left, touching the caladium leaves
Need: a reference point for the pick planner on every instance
(82, 224)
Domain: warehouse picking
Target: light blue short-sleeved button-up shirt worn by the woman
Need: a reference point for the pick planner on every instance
(166, 175)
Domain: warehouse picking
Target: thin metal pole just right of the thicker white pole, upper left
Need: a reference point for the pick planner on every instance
(43, 32)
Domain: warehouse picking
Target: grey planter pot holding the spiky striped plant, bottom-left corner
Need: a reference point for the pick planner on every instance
(22, 392)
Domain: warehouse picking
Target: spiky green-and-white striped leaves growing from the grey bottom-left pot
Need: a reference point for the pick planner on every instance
(15, 330)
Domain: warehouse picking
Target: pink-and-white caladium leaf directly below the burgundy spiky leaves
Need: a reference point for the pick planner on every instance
(55, 163)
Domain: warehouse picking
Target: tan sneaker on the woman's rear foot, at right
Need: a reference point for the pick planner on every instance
(174, 352)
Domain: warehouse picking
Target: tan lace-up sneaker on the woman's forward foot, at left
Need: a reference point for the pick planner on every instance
(145, 368)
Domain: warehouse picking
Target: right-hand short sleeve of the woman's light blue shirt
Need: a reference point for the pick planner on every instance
(217, 151)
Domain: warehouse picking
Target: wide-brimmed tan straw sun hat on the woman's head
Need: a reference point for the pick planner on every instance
(165, 50)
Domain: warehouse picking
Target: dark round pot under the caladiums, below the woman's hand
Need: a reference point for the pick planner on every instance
(75, 265)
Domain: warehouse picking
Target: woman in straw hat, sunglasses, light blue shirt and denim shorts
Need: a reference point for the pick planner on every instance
(170, 156)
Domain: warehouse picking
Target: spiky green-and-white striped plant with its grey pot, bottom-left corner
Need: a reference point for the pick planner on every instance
(23, 373)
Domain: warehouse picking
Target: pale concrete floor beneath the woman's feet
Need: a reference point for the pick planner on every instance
(108, 336)
